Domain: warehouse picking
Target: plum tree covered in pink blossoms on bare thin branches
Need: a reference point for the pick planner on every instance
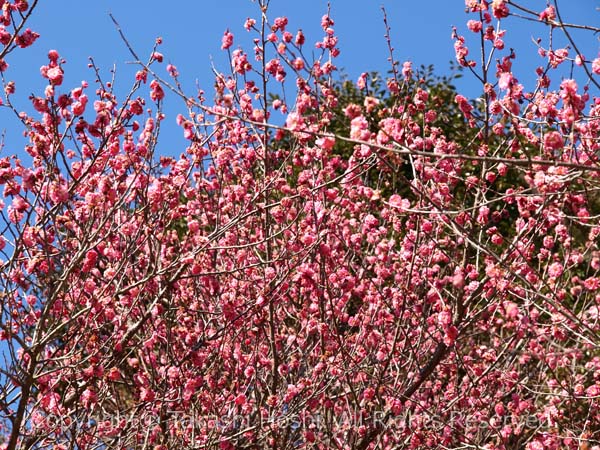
(349, 275)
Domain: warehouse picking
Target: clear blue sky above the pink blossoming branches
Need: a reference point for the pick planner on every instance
(192, 30)
